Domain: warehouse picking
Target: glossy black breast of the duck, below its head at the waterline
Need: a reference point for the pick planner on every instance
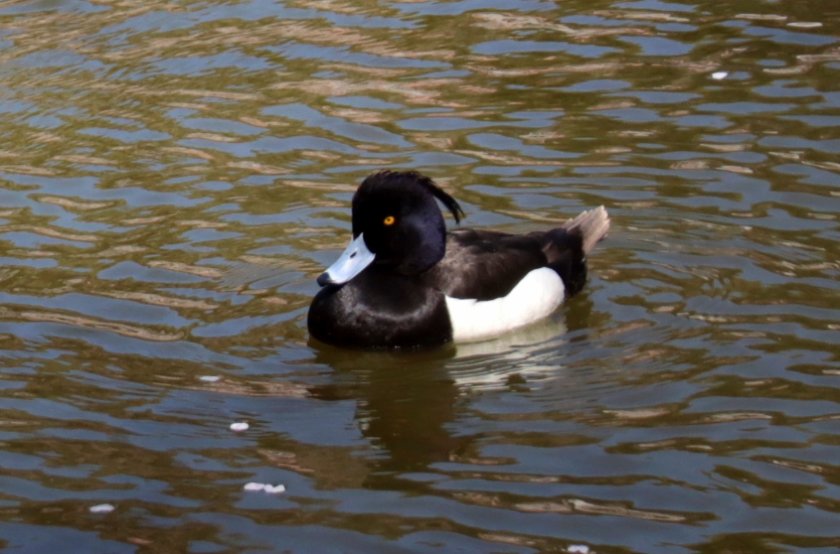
(380, 309)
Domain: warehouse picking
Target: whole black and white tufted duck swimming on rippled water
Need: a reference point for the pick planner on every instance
(404, 282)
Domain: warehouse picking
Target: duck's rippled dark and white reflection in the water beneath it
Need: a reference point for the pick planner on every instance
(407, 403)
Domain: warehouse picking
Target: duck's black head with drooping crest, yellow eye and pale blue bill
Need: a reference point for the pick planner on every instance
(397, 225)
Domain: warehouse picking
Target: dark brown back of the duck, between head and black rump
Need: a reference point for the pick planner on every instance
(484, 265)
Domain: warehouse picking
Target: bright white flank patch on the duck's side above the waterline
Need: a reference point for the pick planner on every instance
(536, 296)
